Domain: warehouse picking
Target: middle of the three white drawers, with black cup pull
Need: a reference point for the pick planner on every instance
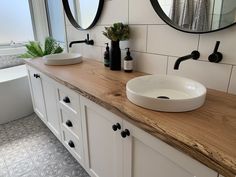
(71, 122)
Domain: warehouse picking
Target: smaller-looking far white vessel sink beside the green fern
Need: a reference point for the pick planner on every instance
(62, 59)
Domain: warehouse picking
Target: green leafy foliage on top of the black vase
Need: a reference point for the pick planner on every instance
(117, 32)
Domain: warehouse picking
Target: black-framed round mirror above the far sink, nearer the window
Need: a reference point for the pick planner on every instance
(83, 14)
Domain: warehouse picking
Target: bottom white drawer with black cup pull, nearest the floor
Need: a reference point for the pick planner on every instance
(72, 144)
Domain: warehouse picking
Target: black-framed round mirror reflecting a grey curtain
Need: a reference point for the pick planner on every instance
(196, 16)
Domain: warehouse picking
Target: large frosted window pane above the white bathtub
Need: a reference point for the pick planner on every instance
(16, 22)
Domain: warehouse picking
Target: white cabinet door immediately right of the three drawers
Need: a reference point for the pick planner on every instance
(103, 146)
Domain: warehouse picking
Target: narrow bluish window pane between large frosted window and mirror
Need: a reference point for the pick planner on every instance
(56, 20)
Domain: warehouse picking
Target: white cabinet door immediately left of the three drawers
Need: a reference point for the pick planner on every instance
(51, 99)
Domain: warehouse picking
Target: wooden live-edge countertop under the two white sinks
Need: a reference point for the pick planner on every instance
(207, 134)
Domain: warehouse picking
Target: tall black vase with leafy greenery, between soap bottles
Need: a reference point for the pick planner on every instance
(116, 33)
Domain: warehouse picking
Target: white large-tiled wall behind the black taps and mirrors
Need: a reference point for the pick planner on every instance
(155, 46)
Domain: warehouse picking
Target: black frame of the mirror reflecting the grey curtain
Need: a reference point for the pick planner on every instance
(167, 20)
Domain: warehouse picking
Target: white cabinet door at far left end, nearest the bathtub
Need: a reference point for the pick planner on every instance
(37, 93)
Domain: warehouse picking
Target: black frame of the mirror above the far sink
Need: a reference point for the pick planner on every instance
(73, 21)
